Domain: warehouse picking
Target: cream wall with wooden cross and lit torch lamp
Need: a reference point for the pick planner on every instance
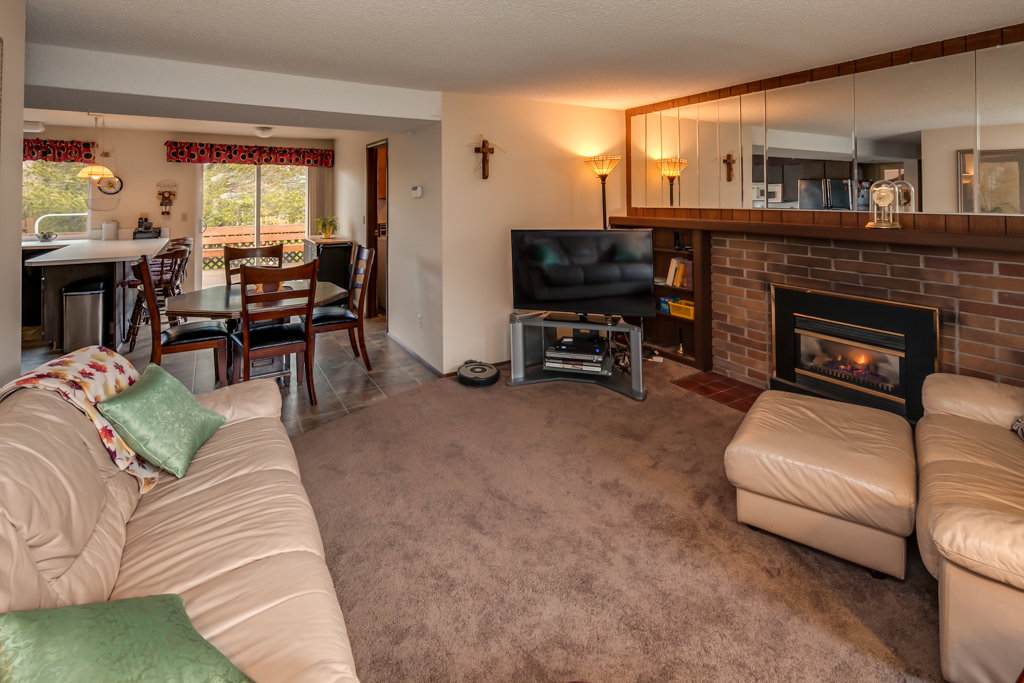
(539, 182)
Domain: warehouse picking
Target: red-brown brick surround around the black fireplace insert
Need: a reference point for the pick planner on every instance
(979, 294)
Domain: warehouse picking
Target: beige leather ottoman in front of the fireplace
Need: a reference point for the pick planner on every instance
(835, 477)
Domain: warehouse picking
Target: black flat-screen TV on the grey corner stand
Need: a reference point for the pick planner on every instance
(609, 273)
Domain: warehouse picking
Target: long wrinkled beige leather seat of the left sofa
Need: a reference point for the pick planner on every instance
(238, 540)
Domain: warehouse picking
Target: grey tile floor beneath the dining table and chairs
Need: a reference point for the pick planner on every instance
(343, 383)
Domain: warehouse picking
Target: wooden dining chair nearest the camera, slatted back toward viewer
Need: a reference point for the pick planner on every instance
(265, 300)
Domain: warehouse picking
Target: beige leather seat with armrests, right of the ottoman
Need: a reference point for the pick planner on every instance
(971, 524)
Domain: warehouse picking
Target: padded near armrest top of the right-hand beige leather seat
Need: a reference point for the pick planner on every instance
(974, 517)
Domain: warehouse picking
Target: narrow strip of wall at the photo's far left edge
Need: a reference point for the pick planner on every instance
(13, 33)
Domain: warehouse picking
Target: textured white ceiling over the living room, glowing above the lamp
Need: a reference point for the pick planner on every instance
(615, 54)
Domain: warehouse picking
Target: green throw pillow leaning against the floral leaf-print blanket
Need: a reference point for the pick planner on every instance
(160, 419)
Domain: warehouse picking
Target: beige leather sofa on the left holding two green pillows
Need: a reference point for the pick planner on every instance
(236, 538)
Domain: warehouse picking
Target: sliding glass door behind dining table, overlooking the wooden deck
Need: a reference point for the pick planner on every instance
(231, 206)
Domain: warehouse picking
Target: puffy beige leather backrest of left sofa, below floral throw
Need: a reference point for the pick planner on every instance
(64, 505)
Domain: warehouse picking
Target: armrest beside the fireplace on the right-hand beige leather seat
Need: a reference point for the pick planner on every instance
(972, 398)
